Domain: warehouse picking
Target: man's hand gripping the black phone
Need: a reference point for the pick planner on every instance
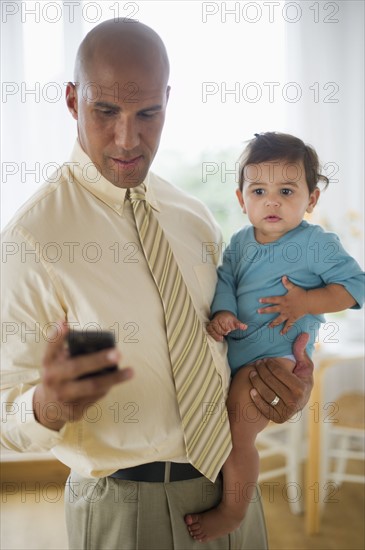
(61, 397)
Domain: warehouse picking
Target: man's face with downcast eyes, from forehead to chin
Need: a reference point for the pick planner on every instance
(120, 114)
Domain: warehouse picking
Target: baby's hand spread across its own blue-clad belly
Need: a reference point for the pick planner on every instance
(290, 307)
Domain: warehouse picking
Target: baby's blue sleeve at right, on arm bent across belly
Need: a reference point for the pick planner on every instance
(328, 259)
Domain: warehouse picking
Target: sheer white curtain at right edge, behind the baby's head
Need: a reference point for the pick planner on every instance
(325, 56)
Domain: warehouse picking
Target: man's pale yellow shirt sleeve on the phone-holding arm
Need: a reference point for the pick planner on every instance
(31, 306)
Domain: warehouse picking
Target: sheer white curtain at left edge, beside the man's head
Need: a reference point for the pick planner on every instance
(37, 133)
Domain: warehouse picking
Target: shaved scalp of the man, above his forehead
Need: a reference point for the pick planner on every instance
(120, 43)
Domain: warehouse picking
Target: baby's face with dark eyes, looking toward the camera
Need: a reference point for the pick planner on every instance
(275, 197)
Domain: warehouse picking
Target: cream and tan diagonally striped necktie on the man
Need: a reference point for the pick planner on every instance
(198, 386)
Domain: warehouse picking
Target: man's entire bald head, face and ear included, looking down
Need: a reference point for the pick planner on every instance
(119, 98)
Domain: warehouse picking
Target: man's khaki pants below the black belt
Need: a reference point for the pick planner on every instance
(111, 514)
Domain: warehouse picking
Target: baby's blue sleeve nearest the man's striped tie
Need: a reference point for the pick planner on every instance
(225, 293)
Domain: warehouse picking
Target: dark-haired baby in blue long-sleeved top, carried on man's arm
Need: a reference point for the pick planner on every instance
(301, 270)
